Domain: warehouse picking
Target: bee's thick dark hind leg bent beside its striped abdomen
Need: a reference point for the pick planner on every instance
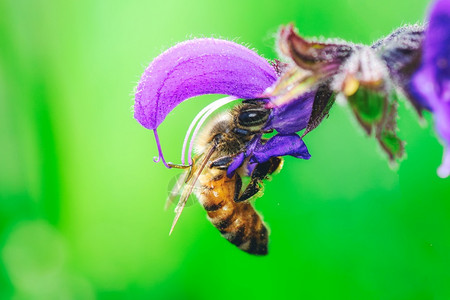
(258, 175)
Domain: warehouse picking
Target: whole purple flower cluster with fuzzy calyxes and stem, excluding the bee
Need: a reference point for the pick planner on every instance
(301, 92)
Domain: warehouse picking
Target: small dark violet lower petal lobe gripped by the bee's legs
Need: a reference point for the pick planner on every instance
(280, 145)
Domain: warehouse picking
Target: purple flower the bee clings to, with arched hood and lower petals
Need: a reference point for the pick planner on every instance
(214, 66)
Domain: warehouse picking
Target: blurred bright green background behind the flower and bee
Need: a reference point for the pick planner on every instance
(81, 201)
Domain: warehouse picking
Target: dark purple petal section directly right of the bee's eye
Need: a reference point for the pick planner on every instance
(293, 116)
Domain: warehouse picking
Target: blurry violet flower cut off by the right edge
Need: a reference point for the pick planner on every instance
(432, 82)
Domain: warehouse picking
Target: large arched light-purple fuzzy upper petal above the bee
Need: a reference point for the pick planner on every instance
(198, 67)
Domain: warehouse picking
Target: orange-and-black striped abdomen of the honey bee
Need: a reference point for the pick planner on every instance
(237, 222)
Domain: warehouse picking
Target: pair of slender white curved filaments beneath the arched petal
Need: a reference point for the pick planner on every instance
(205, 112)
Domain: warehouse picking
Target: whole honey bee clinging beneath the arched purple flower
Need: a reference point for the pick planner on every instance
(224, 199)
